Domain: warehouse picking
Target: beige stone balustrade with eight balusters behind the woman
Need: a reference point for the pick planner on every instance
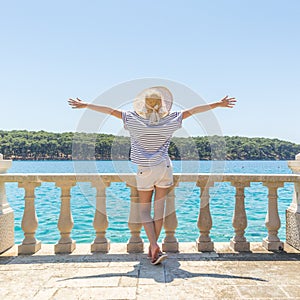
(135, 243)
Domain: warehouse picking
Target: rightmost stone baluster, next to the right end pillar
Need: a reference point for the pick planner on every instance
(272, 242)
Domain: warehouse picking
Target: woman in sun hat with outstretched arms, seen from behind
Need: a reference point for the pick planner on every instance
(151, 126)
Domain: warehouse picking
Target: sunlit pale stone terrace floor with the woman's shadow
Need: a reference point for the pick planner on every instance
(222, 274)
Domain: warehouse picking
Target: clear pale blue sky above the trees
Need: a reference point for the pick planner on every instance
(53, 50)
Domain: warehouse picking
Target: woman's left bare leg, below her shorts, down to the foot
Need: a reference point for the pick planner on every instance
(145, 198)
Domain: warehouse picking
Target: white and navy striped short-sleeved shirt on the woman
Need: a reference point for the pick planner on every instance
(150, 143)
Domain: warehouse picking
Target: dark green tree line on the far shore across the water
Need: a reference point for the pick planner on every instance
(42, 145)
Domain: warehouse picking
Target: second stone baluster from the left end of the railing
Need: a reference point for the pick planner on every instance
(65, 221)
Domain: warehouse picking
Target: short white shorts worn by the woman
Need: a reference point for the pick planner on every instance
(160, 176)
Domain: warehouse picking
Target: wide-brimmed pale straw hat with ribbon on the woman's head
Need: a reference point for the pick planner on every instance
(157, 92)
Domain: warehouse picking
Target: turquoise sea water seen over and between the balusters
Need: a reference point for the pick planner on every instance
(118, 203)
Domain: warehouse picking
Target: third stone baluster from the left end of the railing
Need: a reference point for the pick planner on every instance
(101, 243)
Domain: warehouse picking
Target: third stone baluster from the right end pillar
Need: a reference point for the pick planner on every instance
(204, 243)
